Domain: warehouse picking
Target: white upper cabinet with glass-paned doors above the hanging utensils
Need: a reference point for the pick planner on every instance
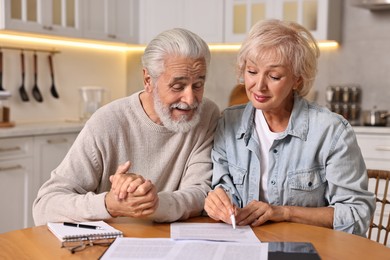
(53, 17)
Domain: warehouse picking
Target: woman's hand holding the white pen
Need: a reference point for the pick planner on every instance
(218, 205)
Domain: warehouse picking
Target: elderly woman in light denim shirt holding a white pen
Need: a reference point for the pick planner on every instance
(279, 157)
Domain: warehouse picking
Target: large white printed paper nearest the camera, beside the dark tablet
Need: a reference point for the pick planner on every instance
(168, 249)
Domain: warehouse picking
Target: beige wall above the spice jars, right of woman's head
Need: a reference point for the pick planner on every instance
(363, 58)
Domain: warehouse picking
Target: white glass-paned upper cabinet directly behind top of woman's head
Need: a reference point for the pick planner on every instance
(320, 17)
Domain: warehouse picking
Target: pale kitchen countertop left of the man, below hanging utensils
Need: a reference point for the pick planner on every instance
(41, 128)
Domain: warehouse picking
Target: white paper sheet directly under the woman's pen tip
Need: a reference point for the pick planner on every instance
(213, 231)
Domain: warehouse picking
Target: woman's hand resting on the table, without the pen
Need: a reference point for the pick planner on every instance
(257, 213)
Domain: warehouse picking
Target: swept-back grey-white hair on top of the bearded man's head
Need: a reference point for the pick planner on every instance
(176, 42)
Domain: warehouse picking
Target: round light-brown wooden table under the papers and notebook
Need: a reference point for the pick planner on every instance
(40, 243)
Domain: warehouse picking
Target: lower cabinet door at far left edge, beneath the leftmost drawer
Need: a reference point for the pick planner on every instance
(16, 194)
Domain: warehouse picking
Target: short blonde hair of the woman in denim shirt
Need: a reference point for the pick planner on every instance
(294, 46)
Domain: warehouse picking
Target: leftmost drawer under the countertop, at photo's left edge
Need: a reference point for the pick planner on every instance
(11, 148)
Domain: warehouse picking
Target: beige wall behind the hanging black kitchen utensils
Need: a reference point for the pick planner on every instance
(73, 67)
